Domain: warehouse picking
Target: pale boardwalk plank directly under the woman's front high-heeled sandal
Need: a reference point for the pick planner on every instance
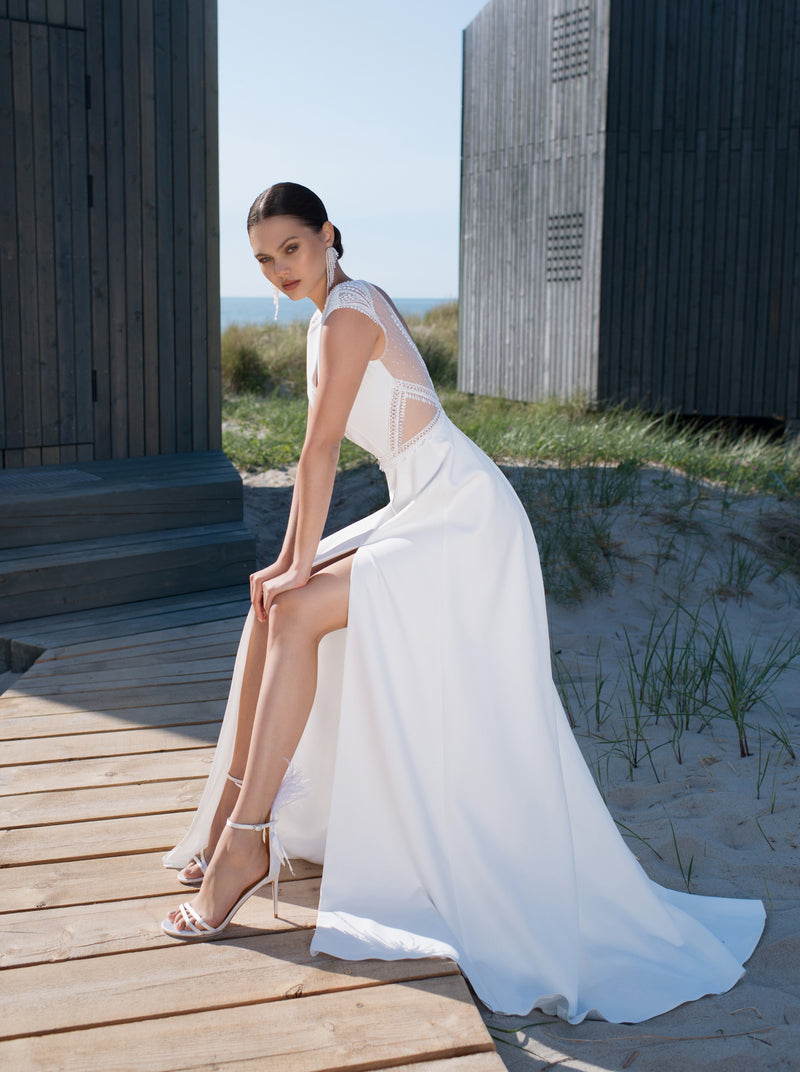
(123, 927)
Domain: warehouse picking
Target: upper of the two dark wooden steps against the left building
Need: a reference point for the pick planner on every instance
(55, 504)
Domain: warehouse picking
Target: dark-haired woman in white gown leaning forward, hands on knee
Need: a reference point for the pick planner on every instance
(405, 663)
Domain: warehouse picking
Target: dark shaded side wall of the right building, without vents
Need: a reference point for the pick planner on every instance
(702, 232)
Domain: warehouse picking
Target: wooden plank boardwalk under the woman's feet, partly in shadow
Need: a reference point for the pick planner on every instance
(107, 741)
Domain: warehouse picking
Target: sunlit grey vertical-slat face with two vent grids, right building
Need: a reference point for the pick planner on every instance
(534, 152)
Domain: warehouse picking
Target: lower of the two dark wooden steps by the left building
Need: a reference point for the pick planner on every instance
(48, 579)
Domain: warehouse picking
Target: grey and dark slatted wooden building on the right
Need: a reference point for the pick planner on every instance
(631, 196)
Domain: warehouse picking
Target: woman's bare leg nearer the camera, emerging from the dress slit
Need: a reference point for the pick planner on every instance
(299, 620)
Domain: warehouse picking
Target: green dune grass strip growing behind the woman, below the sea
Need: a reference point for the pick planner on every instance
(264, 379)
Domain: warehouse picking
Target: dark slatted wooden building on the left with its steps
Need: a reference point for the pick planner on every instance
(113, 485)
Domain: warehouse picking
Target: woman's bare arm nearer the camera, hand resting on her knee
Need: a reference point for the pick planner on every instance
(348, 343)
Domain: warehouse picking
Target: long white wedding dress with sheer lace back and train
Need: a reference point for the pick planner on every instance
(449, 799)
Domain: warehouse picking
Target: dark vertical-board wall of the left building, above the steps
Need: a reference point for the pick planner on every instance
(109, 230)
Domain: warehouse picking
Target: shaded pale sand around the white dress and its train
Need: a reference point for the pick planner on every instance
(699, 805)
